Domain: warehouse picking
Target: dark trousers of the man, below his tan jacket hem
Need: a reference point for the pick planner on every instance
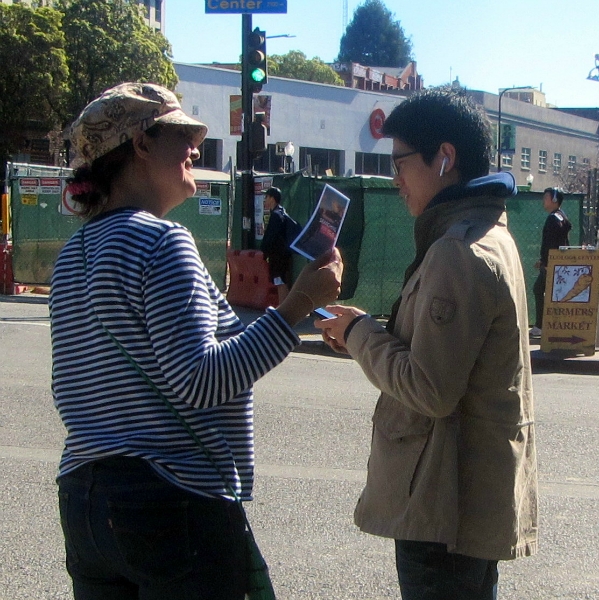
(428, 572)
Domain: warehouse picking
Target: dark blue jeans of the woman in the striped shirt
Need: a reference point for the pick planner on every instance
(130, 535)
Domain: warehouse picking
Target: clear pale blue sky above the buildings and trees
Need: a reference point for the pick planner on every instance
(488, 45)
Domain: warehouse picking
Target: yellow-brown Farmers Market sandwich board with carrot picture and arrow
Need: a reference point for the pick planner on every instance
(571, 301)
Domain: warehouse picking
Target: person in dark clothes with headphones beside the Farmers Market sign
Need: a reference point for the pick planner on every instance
(555, 234)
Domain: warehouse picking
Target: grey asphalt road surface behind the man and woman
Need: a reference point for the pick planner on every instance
(313, 430)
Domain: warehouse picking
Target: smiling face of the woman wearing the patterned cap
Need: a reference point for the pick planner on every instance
(171, 155)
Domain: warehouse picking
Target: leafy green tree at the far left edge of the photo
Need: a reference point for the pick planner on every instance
(34, 73)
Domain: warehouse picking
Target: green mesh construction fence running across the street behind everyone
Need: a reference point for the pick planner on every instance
(376, 240)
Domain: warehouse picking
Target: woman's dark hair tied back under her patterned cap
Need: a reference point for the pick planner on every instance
(91, 185)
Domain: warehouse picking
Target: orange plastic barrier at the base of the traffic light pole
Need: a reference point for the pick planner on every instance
(250, 284)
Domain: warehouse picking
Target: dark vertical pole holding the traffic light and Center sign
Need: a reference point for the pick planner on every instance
(247, 177)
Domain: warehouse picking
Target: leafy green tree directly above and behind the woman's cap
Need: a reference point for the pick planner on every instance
(107, 43)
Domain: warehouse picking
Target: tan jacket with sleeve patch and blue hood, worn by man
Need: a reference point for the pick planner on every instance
(453, 455)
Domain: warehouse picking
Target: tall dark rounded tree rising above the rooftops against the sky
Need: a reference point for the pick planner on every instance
(374, 38)
